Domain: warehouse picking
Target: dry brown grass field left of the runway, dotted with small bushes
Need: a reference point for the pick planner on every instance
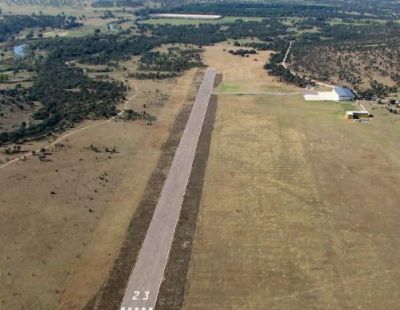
(63, 221)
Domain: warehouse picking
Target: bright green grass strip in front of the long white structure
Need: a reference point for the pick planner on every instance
(182, 21)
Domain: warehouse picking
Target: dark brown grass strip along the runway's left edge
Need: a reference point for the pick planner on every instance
(113, 289)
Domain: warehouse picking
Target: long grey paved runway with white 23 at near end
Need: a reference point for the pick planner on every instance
(145, 280)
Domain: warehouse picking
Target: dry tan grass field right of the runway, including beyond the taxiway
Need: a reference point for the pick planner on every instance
(299, 207)
